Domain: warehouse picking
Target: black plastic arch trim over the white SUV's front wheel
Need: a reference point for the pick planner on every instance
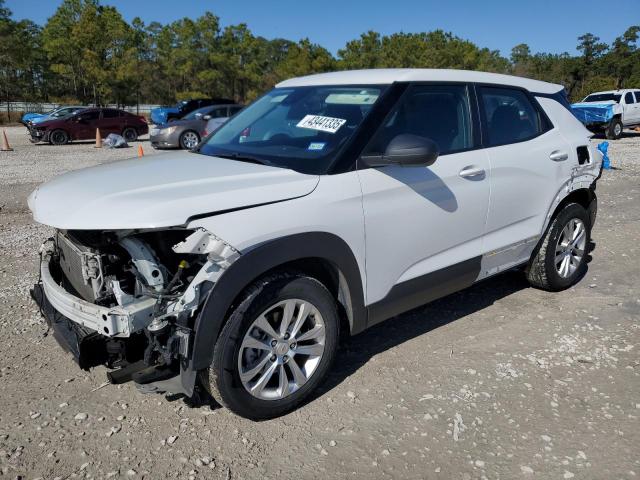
(258, 261)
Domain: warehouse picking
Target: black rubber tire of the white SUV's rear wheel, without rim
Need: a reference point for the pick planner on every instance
(541, 271)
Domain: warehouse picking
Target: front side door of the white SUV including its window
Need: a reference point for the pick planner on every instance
(424, 225)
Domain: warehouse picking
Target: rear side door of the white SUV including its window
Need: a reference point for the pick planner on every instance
(530, 163)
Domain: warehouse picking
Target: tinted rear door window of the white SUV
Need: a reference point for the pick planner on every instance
(509, 115)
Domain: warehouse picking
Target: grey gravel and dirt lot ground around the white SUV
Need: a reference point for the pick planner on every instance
(498, 381)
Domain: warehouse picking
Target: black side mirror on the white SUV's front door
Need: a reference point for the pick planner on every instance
(408, 151)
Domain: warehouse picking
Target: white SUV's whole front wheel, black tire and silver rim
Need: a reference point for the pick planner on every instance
(276, 347)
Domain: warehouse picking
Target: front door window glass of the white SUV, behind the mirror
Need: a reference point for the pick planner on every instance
(438, 112)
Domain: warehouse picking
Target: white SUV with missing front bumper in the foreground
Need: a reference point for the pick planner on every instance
(333, 202)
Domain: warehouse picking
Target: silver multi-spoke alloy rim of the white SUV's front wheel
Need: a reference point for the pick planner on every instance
(281, 349)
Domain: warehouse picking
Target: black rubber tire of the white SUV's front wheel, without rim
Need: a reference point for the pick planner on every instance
(222, 379)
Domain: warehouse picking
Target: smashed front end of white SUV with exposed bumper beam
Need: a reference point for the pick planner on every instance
(128, 299)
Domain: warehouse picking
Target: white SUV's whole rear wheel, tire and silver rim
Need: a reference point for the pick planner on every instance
(561, 258)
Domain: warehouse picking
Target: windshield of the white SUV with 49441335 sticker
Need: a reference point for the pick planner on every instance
(301, 128)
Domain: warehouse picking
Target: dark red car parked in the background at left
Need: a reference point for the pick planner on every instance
(82, 125)
